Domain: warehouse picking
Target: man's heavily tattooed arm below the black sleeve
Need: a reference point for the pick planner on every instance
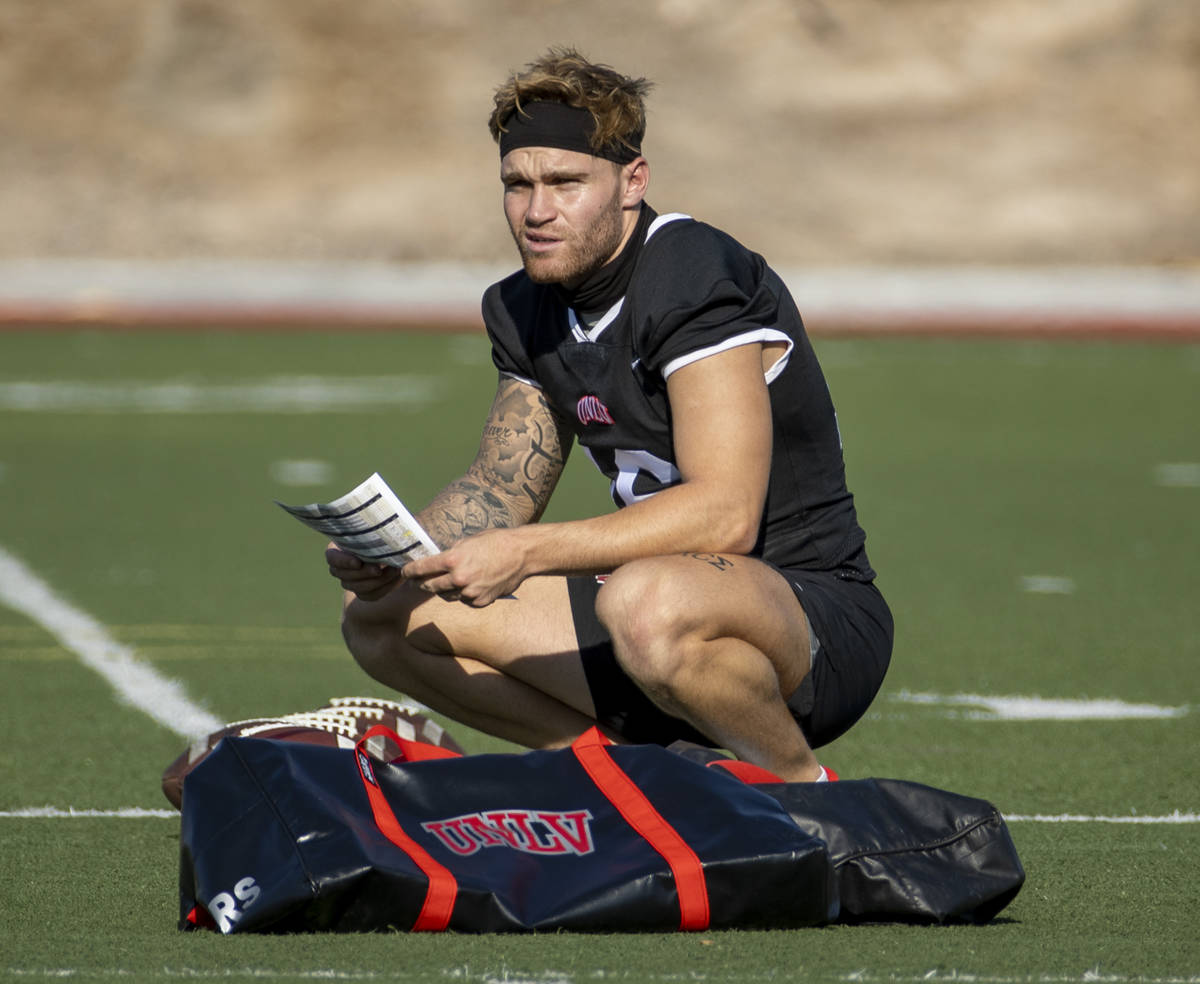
(520, 460)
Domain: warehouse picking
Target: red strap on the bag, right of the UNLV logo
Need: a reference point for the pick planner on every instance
(640, 814)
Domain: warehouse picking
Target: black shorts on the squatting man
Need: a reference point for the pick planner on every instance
(851, 628)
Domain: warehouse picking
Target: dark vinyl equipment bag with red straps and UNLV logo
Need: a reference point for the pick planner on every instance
(284, 837)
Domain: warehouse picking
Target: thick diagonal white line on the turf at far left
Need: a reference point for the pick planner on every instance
(134, 681)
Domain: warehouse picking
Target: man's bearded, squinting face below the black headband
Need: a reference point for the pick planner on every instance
(567, 212)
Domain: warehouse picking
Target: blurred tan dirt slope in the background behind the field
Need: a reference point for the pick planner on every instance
(818, 131)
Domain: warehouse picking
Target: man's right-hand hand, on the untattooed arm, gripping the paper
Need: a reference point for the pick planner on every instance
(477, 571)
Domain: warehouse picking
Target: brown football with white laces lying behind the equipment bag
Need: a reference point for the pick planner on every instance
(339, 724)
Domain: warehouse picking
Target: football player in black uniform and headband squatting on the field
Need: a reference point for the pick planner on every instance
(729, 601)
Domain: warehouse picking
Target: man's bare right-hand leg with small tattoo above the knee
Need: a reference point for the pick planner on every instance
(718, 641)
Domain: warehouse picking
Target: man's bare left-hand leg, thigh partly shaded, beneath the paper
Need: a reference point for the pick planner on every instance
(511, 670)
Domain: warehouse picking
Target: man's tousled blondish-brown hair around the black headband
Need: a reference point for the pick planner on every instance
(617, 103)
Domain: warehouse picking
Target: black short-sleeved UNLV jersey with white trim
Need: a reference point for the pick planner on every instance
(693, 292)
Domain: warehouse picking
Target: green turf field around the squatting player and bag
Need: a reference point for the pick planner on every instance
(1034, 511)
